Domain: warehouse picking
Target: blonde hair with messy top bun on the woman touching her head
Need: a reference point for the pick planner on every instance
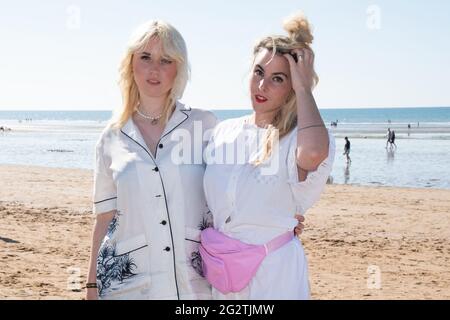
(299, 37)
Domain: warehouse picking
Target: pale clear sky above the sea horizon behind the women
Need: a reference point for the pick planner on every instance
(64, 55)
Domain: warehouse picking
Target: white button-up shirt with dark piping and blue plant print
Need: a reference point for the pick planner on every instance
(151, 250)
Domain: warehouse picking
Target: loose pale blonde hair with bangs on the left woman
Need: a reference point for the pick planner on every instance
(174, 47)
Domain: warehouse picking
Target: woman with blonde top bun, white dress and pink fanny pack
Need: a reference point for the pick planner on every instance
(288, 155)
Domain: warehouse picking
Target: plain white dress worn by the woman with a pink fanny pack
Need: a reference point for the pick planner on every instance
(254, 205)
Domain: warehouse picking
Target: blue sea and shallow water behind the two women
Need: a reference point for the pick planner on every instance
(66, 139)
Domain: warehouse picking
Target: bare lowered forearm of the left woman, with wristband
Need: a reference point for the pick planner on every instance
(101, 225)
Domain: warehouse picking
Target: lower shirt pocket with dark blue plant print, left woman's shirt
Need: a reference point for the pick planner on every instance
(123, 269)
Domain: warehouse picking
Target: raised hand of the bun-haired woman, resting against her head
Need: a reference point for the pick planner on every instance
(302, 71)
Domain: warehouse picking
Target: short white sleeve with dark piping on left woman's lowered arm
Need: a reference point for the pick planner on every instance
(105, 191)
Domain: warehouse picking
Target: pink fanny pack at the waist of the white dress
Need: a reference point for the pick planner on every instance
(230, 264)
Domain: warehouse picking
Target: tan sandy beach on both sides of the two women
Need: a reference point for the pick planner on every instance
(46, 220)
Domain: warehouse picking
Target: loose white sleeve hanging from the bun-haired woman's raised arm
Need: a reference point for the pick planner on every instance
(307, 193)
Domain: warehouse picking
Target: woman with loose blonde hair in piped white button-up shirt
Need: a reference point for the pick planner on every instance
(149, 210)
